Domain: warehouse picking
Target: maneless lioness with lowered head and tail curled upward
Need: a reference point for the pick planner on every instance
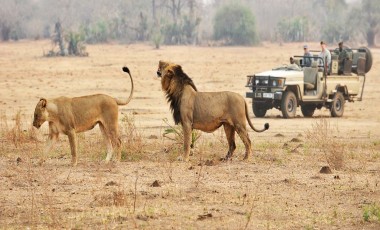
(78, 114)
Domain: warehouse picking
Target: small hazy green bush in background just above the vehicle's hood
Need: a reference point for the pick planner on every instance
(293, 29)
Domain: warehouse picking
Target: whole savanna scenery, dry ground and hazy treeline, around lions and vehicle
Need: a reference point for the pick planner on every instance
(54, 48)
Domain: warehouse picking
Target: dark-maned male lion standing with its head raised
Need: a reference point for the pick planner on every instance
(206, 111)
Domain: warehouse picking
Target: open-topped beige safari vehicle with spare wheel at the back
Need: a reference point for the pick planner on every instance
(289, 86)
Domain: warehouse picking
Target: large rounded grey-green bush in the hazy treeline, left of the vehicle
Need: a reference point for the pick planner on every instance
(235, 25)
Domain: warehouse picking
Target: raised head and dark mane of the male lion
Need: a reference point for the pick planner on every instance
(173, 82)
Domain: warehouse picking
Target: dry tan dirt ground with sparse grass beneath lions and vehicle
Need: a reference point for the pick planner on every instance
(280, 187)
